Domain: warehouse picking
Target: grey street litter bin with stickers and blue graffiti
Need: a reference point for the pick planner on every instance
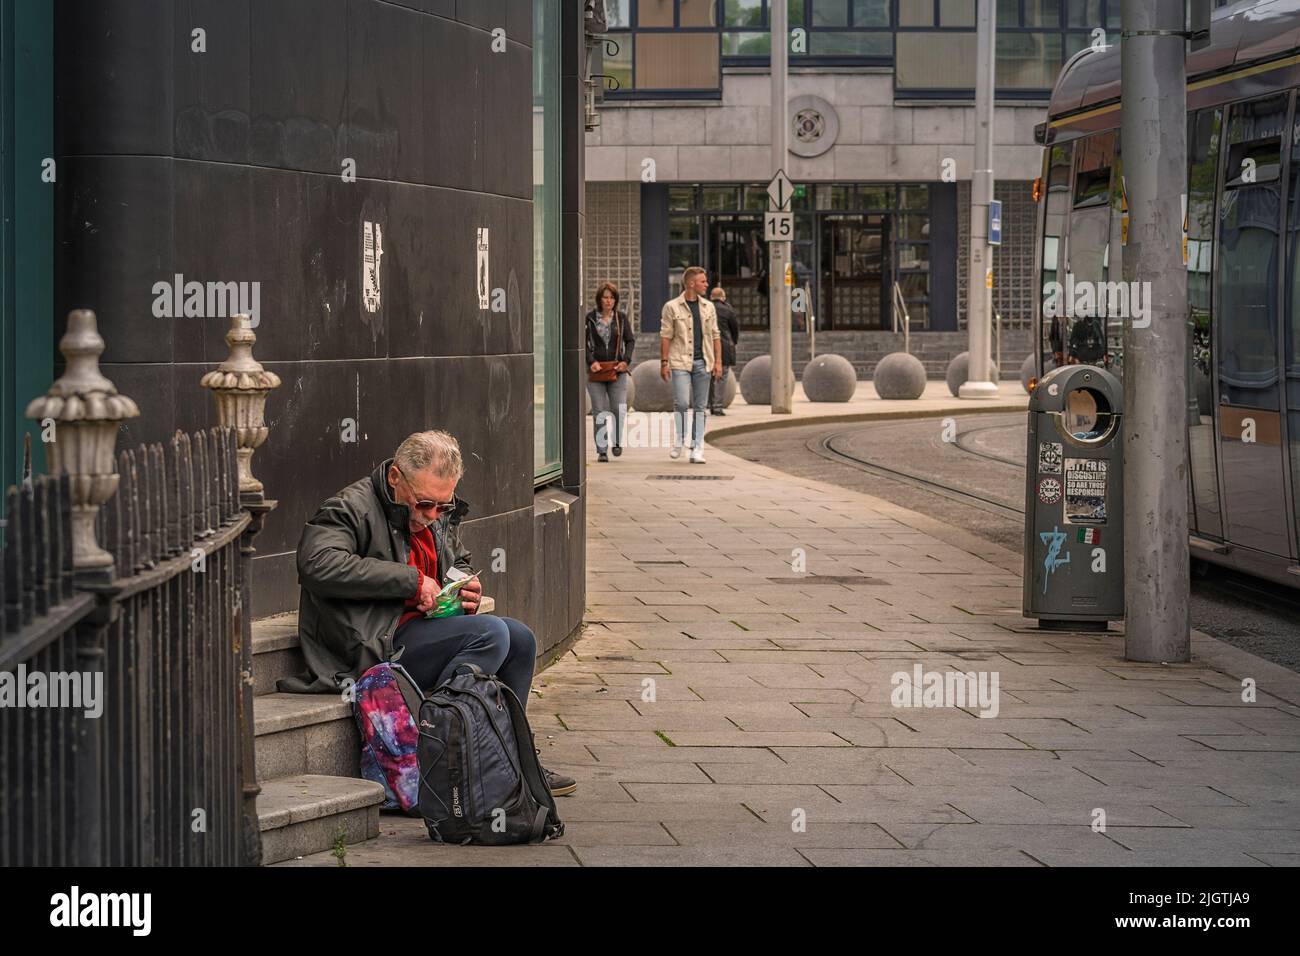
(1074, 507)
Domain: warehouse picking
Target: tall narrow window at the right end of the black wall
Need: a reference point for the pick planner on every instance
(547, 241)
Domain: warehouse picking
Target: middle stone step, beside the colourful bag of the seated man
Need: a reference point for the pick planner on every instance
(305, 734)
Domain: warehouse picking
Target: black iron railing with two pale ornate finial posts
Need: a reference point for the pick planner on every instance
(125, 672)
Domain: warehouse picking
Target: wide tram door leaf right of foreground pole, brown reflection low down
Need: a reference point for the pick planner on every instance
(1249, 362)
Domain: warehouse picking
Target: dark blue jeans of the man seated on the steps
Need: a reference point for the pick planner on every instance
(436, 647)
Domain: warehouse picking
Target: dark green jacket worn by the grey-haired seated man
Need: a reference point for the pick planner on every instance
(356, 581)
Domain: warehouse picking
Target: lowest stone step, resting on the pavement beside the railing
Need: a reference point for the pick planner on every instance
(310, 814)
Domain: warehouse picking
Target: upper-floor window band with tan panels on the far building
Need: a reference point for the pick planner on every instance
(679, 47)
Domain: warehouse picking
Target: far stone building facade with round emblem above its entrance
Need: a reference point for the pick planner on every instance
(882, 135)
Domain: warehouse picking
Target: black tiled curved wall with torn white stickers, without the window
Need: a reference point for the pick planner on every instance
(227, 166)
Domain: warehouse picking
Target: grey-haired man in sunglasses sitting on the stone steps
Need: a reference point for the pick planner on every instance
(371, 565)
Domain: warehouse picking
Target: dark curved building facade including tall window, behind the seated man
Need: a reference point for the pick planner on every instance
(365, 167)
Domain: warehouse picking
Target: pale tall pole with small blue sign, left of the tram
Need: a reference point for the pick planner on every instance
(980, 301)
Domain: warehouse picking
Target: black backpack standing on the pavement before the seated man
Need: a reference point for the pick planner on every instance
(480, 780)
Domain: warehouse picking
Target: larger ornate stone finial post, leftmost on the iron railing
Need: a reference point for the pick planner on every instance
(81, 413)
